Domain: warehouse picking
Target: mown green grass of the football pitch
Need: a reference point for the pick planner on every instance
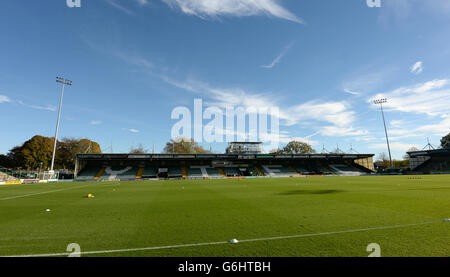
(162, 213)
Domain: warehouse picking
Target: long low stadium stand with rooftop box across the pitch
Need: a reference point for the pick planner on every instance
(242, 159)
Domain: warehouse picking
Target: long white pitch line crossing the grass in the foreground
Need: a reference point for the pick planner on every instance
(227, 242)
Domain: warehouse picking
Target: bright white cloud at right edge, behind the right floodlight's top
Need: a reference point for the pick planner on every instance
(431, 98)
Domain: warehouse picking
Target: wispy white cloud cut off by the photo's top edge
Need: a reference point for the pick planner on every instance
(217, 8)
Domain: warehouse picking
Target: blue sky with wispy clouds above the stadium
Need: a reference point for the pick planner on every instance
(133, 61)
